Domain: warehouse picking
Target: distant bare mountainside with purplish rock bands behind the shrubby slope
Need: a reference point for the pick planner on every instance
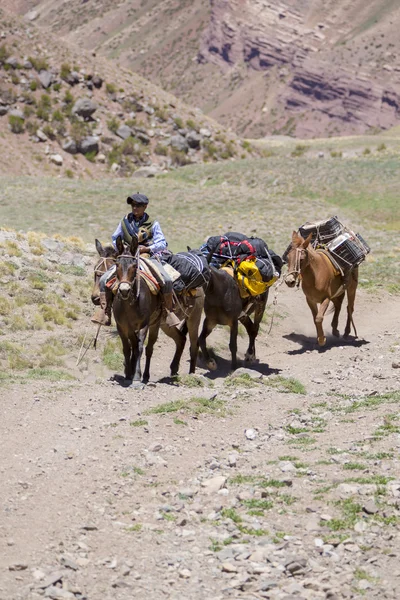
(305, 69)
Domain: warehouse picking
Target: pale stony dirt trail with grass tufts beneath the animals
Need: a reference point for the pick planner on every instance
(101, 500)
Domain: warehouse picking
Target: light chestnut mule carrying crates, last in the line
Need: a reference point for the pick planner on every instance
(321, 284)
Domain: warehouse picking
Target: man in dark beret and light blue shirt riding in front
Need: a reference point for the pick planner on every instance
(151, 243)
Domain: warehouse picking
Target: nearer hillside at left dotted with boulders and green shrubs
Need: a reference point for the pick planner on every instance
(79, 115)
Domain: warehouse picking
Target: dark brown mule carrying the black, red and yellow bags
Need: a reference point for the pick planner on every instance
(223, 305)
